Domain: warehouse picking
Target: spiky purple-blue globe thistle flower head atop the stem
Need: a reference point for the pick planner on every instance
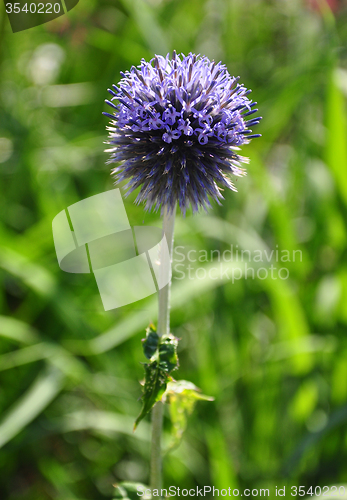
(176, 130)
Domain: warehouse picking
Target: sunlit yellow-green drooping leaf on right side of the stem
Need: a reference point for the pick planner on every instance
(182, 397)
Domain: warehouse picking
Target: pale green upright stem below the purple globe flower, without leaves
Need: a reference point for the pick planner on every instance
(163, 329)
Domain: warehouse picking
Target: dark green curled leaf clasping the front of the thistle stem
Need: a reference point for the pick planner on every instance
(162, 362)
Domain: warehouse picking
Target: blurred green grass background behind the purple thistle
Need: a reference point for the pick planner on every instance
(272, 352)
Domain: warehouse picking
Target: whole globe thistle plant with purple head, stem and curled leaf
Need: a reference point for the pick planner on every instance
(176, 128)
